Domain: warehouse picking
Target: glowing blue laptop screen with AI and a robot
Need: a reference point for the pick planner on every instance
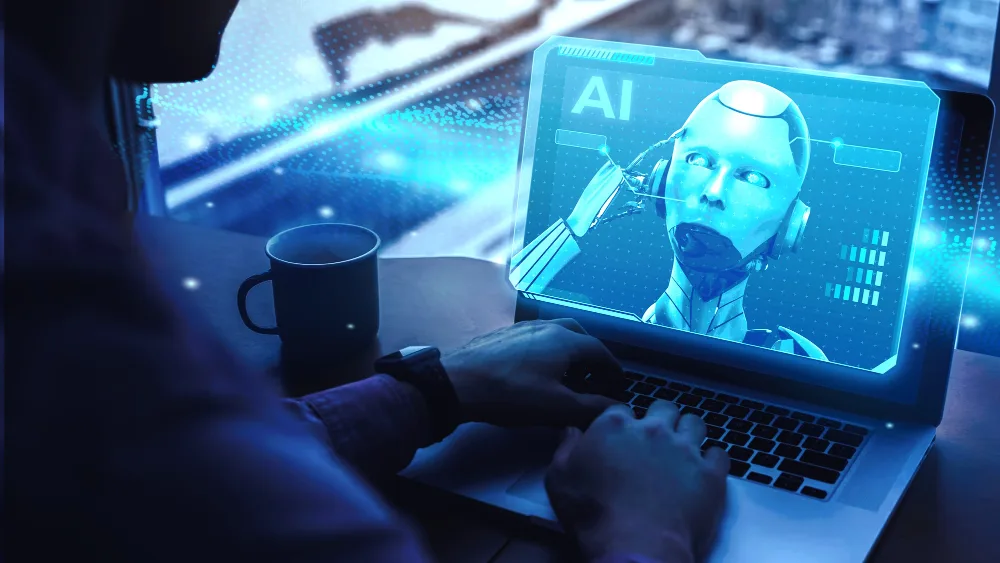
(808, 224)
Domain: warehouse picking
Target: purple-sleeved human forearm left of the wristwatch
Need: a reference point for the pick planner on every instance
(376, 424)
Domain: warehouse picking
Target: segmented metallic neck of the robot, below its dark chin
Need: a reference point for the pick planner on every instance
(706, 303)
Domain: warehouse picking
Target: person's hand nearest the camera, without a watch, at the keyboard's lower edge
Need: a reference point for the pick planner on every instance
(639, 487)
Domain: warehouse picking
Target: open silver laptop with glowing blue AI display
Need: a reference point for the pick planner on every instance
(781, 252)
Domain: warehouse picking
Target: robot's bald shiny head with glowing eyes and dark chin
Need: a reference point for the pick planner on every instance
(737, 168)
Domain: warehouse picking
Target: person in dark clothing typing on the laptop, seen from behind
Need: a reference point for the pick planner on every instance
(135, 436)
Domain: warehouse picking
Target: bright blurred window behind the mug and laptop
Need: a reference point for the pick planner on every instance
(404, 116)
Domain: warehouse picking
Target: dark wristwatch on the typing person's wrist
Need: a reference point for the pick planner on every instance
(420, 366)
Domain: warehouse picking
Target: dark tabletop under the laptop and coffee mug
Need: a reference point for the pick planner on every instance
(952, 512)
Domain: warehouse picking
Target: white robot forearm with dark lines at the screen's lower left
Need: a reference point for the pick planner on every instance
(534, 267)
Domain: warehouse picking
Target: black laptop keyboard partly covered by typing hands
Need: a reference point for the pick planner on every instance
(767, 444)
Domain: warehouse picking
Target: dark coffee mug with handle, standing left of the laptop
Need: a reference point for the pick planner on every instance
(324, 278)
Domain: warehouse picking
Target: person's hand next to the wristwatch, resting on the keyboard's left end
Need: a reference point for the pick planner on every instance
(514, 376)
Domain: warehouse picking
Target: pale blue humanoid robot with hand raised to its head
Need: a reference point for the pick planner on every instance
(729, 198)
